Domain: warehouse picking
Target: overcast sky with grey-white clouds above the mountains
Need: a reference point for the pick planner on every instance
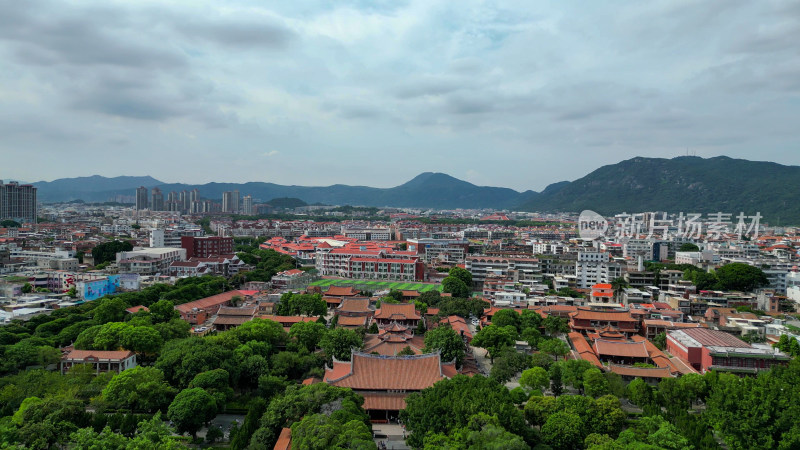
(514, 94)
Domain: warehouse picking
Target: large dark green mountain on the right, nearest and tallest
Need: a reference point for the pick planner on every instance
(684, 184)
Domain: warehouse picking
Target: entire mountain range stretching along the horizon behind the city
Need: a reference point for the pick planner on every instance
(682, 184)
